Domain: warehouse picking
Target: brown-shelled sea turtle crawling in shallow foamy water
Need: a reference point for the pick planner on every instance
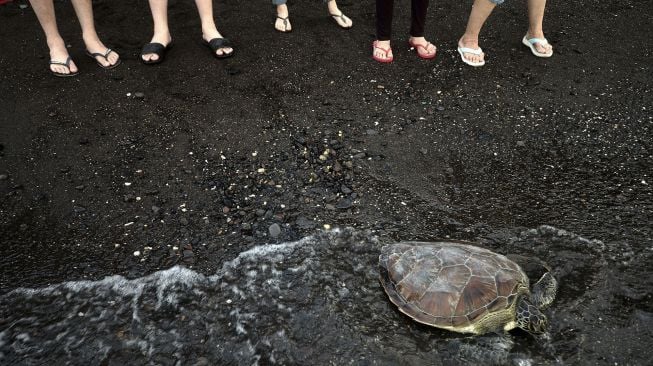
(464, 288)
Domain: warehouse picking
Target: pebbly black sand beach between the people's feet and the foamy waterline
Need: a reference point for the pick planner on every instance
(304, 129)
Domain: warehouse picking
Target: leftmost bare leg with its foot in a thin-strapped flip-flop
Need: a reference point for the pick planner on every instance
(44, 10)
